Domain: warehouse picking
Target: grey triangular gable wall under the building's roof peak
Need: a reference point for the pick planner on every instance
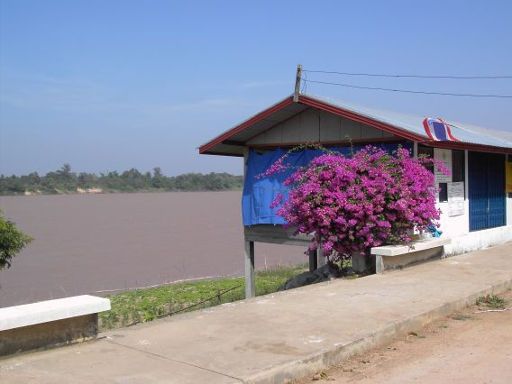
(317, 126)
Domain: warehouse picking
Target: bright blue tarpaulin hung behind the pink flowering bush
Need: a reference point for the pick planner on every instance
(259, 192)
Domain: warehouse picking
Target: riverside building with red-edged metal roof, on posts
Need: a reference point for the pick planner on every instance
(476, 200)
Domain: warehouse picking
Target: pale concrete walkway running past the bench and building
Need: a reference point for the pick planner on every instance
(273, 338)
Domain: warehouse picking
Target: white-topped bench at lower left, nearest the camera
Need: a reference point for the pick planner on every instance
(50, 323)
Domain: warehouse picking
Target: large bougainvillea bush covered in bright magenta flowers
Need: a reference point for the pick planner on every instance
(353, 203)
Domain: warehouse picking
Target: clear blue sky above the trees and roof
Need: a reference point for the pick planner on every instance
(114, 84)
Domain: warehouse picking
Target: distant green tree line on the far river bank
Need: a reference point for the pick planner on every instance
(65, 180)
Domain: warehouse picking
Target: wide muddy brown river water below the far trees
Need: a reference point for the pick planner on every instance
(97, 243)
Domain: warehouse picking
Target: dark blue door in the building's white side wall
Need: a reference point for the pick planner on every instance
(486, 184)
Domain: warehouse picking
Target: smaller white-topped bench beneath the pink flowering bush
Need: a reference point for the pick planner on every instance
(398, 256)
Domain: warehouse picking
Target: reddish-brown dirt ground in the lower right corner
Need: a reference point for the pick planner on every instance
(466, 347)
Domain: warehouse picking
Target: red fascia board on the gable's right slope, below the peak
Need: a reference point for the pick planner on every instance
(359, 118)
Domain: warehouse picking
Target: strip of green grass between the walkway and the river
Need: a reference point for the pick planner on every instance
(144, 305)
